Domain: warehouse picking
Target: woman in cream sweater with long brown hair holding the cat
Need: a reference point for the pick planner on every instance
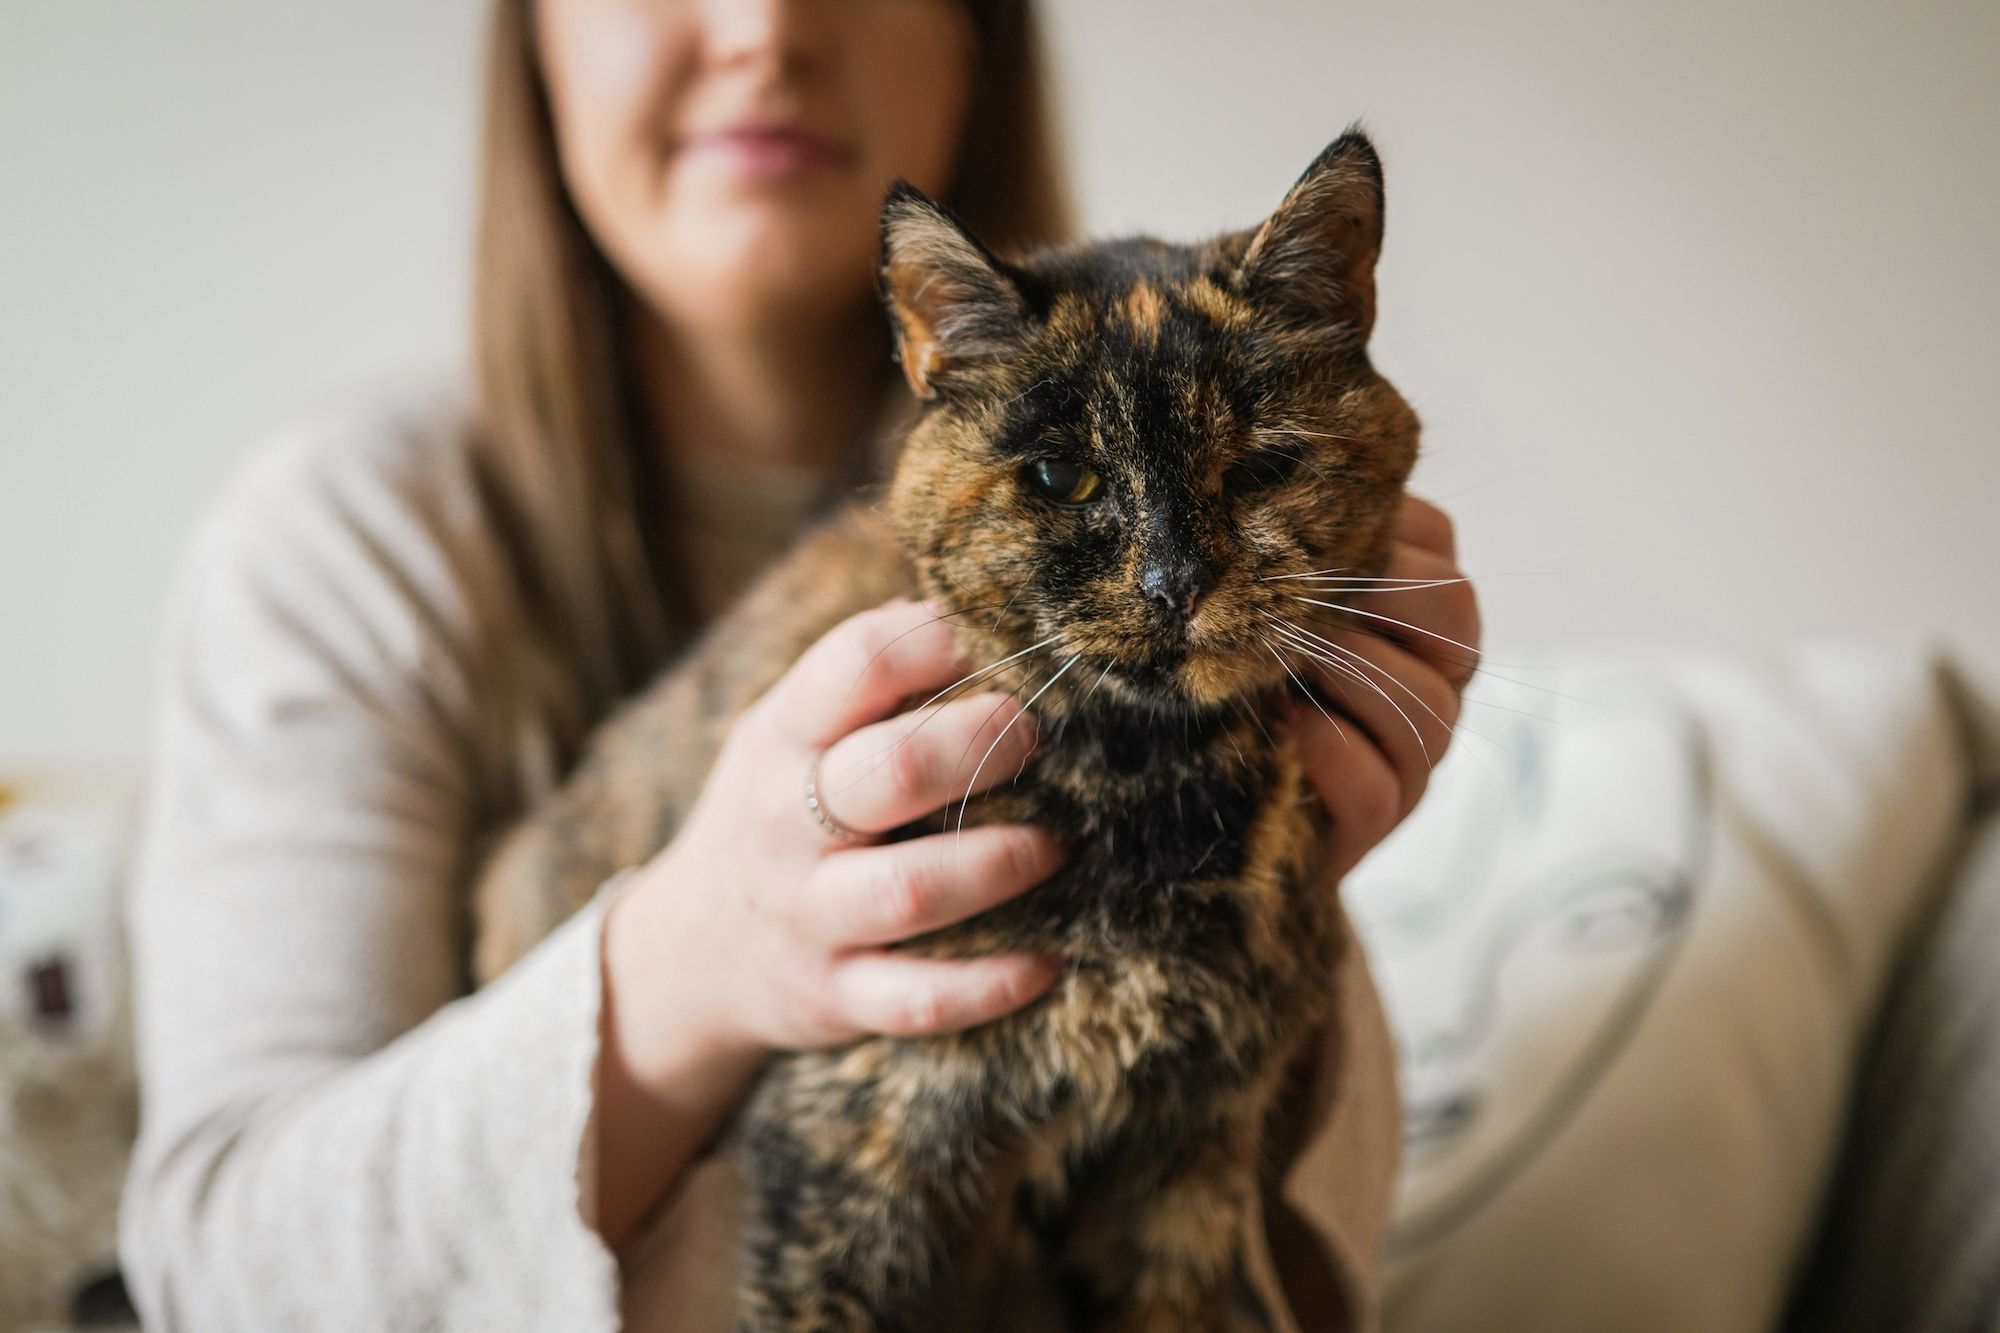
(399, 627)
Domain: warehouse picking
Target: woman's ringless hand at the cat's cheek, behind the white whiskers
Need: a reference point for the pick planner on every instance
(1373, 758)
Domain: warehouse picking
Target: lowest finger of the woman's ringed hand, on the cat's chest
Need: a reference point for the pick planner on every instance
(901, 996)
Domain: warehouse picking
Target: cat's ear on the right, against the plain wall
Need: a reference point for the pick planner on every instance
(1315, 259)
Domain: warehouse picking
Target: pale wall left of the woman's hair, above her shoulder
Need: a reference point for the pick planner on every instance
(211, 215)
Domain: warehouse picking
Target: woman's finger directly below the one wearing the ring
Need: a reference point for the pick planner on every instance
(881, 896)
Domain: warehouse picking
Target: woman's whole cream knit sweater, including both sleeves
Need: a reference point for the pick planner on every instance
(335, 1136)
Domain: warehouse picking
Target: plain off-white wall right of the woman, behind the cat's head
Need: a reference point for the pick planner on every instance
(1703, 295)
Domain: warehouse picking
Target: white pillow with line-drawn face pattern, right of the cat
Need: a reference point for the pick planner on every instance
(1629, 946)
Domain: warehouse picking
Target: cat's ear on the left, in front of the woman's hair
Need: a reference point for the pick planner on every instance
(951, 301)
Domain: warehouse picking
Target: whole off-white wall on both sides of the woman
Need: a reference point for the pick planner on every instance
(1701, 301)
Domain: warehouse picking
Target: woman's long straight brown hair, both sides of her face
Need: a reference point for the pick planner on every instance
(555, 383)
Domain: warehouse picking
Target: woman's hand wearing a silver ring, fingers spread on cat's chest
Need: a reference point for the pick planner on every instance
(777, 932)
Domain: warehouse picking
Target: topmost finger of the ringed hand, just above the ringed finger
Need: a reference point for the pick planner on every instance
(861, 672)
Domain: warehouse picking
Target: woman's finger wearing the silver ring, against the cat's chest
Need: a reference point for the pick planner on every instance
(889, 774)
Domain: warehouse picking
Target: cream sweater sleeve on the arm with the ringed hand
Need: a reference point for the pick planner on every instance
(335, 1136)
